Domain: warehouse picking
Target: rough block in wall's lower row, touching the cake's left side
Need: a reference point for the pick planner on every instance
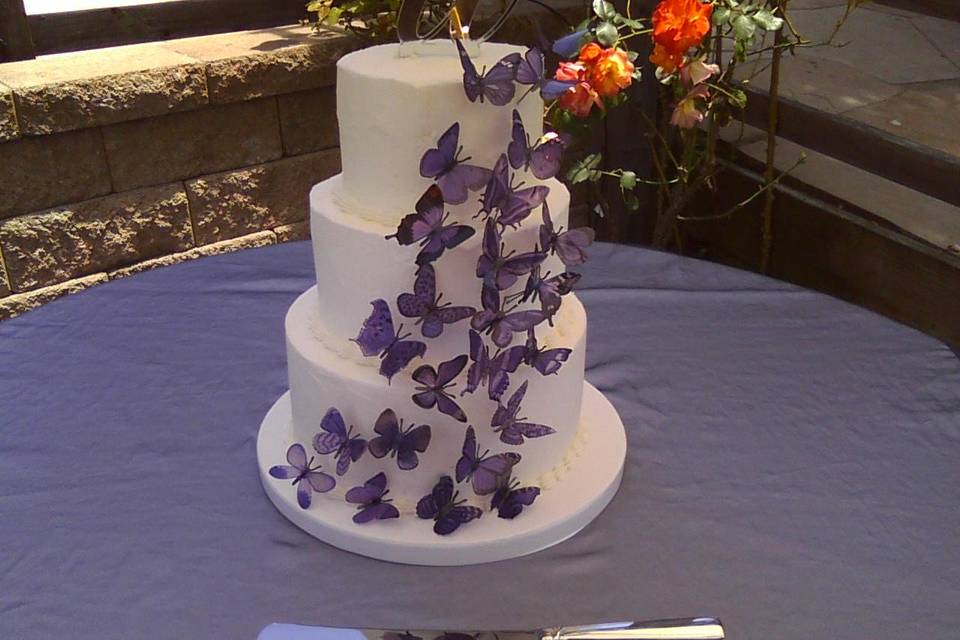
(235, 203)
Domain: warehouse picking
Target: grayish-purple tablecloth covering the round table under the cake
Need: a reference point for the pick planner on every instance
(794, 467)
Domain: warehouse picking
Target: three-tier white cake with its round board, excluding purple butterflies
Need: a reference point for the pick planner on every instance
(391, 109)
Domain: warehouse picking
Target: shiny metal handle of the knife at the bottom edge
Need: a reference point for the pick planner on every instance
(673, 629)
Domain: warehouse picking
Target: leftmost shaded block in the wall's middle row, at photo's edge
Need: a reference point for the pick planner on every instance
(36, 173)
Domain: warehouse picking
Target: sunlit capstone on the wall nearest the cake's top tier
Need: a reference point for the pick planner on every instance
(250, 64)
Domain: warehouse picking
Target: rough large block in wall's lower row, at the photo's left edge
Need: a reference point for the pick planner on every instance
(52, 246)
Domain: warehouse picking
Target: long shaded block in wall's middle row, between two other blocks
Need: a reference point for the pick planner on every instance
(183, 145)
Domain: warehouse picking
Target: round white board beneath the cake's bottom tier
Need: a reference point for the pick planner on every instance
(560, 512)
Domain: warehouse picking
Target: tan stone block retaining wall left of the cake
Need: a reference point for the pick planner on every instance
(124, 159)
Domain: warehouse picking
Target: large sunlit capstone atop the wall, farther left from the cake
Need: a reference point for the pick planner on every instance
(85, 89)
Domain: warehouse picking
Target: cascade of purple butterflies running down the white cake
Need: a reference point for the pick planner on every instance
(503, 205)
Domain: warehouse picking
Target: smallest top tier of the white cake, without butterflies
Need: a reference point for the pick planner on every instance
(392, 111)
